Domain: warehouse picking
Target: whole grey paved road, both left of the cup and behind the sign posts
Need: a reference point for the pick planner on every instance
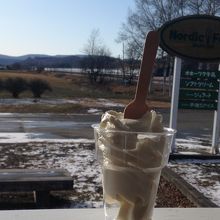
(194, 123)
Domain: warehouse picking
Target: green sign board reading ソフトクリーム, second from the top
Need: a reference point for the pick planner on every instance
(199, 84)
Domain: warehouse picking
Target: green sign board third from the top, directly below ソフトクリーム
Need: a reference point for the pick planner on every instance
(186, 94)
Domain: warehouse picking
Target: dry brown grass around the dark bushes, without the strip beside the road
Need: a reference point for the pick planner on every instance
(78, 86)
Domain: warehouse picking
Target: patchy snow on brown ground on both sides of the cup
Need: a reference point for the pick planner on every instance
(78, 157)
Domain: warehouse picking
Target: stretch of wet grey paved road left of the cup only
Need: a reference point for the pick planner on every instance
(48, 125)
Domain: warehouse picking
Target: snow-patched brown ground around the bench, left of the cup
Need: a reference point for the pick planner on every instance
(77, 158)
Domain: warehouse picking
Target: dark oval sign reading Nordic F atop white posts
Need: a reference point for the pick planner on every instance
(195, 37)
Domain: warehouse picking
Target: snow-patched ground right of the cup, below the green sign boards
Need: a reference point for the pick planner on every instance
(203, 175)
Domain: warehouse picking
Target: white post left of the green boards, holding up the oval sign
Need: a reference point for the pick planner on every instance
(175, 97)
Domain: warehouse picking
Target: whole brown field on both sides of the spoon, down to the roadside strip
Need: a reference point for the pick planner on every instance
(72, 86)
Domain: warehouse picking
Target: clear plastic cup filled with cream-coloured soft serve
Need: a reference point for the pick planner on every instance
(131, 165)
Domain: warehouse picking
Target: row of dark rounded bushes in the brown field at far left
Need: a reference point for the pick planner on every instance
(17, 85)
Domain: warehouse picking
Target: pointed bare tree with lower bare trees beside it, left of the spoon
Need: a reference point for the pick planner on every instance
(99, 65)
